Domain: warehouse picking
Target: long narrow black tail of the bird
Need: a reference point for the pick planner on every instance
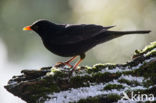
(130, 32)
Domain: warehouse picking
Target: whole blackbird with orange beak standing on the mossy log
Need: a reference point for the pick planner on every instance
(74, 40)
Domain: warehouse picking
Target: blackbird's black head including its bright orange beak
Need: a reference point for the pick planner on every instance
(42, 27)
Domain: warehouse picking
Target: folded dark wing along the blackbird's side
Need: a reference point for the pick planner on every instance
(77, 33)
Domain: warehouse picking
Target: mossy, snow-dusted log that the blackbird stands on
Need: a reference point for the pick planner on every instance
(102, 83)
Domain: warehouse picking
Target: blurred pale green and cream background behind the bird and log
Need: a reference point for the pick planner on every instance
(24, 50)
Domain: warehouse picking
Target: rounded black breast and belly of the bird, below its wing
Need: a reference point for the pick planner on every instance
(68, 50)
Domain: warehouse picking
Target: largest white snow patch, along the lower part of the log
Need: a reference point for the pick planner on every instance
(84, 92)
